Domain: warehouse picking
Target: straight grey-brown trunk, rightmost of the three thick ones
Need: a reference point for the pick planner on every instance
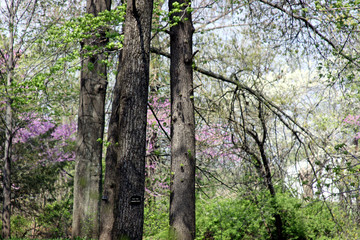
(182, 186)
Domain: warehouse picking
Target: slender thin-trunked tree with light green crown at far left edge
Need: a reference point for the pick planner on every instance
(22, 75)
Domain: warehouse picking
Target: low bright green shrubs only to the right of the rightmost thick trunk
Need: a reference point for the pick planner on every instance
(241, 218)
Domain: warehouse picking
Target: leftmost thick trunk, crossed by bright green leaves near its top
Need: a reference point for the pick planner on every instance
(88, 170)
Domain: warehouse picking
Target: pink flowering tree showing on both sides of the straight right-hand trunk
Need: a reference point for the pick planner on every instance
(215, 147)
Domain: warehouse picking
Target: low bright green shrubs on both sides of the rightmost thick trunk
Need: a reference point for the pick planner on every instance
(240, 217)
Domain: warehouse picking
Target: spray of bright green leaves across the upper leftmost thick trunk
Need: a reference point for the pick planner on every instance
(76, 30)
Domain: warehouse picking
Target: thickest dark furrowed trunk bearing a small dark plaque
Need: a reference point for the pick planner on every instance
(122, 210)
